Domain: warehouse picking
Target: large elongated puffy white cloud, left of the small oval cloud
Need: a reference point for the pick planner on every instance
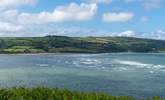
(71, 12)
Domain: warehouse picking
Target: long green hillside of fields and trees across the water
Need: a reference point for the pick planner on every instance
(54, 44)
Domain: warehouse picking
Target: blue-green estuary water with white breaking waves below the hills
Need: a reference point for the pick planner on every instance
(134, 74)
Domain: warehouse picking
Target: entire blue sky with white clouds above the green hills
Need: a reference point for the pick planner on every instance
(129, 18)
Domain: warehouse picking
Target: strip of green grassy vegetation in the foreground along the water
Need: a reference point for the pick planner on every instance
(42, 93)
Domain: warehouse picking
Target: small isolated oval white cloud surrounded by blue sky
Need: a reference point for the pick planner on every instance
(117, 17)
